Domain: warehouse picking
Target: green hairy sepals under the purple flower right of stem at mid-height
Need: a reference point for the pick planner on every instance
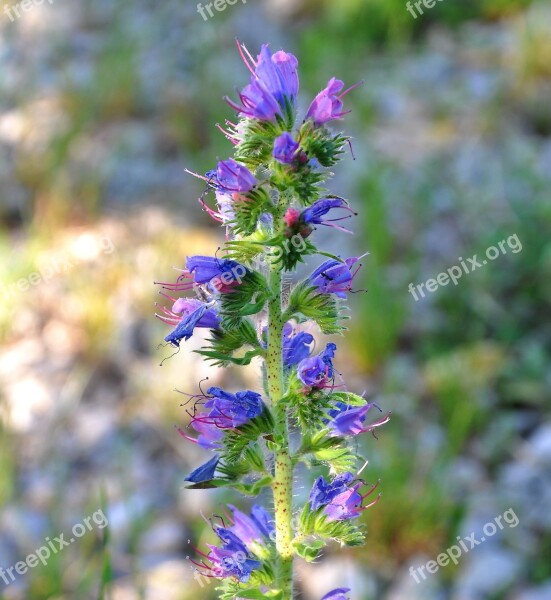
(307, 302)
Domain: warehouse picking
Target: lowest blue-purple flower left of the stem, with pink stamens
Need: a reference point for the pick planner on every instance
(232, 559)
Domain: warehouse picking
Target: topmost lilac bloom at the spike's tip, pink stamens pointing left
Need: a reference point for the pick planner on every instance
(273, 86)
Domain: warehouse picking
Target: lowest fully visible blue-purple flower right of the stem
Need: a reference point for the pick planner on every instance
(339, 499)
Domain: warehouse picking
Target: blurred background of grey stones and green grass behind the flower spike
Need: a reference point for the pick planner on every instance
(102, 105)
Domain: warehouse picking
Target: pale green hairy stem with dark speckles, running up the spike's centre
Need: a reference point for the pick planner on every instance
(283, 479)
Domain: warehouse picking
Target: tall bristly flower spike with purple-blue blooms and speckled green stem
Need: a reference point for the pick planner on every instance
(270, 198)
